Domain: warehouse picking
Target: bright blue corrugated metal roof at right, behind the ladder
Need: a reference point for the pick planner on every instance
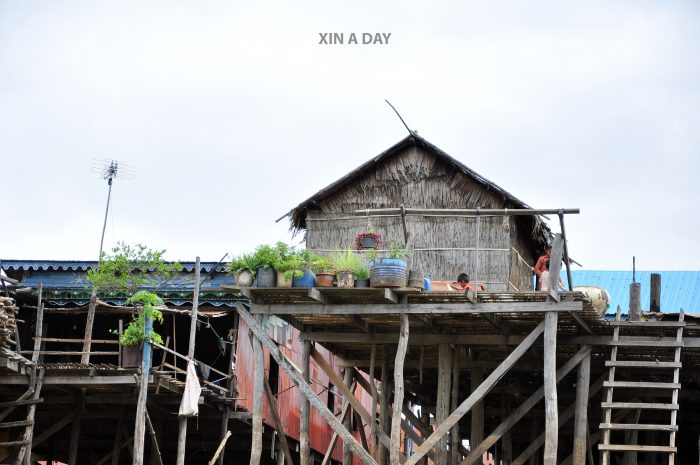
(679, 289)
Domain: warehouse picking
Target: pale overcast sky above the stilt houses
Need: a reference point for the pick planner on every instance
(231, 113)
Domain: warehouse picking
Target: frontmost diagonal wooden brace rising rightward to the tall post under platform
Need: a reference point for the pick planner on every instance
(477, 395)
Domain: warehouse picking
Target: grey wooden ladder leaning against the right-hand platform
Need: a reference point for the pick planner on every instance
(647, 368)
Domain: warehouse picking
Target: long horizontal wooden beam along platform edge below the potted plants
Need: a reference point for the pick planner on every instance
(415, 308)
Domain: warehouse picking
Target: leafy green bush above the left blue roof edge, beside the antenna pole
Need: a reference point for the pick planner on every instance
(129, 267)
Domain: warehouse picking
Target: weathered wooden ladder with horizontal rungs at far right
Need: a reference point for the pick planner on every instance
(660, 356)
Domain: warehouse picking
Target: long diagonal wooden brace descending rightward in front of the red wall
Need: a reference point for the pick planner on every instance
(303, 386)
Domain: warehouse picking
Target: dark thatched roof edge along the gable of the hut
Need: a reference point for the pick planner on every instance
(540, 232)
